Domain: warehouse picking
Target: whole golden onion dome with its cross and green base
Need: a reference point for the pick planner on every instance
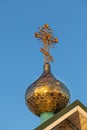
(47, 95)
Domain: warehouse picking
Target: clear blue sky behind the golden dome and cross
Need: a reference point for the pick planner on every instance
(21, 61)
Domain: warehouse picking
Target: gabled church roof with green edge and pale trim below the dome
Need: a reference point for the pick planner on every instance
(75, 115)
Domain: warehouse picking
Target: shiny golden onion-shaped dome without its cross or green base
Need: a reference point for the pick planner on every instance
(47, 94)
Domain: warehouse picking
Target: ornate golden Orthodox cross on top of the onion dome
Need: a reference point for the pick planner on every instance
(45, 34)
